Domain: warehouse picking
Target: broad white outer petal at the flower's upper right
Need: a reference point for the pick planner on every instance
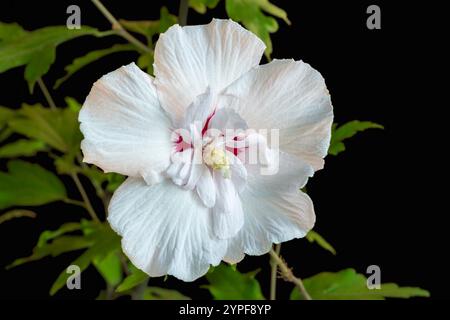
(292, 97)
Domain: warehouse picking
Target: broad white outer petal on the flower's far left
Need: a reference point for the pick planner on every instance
(125, 129)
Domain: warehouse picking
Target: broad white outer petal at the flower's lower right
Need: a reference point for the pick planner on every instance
(274, 209)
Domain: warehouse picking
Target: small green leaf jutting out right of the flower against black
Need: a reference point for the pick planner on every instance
(348, 130)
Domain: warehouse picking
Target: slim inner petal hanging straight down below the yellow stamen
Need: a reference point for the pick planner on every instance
(228, 217)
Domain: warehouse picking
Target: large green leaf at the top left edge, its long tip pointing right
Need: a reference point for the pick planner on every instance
(35, 49)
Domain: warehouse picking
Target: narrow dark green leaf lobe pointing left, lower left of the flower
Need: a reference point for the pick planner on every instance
(60, 245)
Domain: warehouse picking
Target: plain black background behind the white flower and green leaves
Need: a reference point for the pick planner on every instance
(375, 202)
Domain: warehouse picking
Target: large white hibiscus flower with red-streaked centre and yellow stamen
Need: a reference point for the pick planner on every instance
(179, 217)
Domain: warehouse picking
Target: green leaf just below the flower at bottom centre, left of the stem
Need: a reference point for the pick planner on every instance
(229, 284)
